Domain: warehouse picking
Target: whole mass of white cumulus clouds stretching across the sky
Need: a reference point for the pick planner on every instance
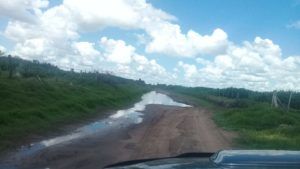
(54, 35)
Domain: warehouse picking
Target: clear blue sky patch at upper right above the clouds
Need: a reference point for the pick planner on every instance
(241, 19)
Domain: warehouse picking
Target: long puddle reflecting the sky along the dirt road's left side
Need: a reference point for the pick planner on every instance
(121, 118)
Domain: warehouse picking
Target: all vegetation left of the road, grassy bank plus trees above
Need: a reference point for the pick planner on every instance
(38, 97)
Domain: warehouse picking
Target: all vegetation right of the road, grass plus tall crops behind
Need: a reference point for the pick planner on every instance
(259, 124)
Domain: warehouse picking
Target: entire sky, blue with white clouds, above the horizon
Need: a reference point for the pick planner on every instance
(253, 44)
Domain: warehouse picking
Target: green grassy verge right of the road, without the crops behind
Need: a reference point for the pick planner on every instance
(258, 124)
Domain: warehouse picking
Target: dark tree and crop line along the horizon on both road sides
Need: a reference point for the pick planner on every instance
(16, 67)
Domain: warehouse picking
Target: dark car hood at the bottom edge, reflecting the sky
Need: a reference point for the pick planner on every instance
(262, 159)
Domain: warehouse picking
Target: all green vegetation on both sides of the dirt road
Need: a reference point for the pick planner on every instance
(38, 97)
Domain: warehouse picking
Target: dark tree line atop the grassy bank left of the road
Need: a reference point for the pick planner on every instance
(15, 67)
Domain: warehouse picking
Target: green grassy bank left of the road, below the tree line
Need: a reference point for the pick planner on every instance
(28, 106)
